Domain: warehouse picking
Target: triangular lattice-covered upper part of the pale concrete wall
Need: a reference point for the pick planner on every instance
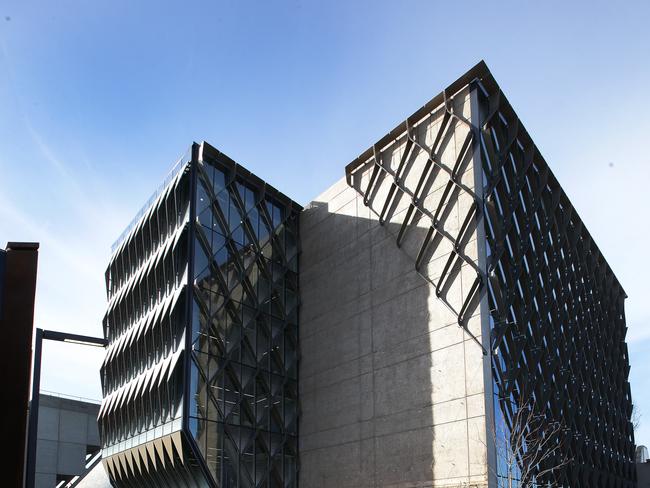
(387, 189)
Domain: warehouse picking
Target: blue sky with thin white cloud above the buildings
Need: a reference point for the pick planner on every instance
(98, 99)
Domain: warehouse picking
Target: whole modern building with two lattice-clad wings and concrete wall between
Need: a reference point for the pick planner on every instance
(446, 284)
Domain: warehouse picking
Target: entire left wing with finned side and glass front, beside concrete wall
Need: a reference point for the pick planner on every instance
(200, 376)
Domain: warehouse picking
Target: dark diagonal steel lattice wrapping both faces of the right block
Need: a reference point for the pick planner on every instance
(500, 138)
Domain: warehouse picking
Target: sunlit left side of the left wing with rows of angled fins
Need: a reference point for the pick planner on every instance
(142, 376)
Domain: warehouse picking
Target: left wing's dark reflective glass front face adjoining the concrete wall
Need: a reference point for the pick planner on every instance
(244, 331)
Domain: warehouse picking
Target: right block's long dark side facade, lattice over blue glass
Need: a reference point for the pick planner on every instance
(557, 317)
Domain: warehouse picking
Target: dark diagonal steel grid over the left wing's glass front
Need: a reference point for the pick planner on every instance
(235, 175)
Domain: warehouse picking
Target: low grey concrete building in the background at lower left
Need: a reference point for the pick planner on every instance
(65, 430)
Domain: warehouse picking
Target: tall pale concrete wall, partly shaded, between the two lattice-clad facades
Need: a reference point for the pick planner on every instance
(392, 389)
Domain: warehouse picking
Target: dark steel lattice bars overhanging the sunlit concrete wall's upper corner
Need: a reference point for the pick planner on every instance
(453, 186)
